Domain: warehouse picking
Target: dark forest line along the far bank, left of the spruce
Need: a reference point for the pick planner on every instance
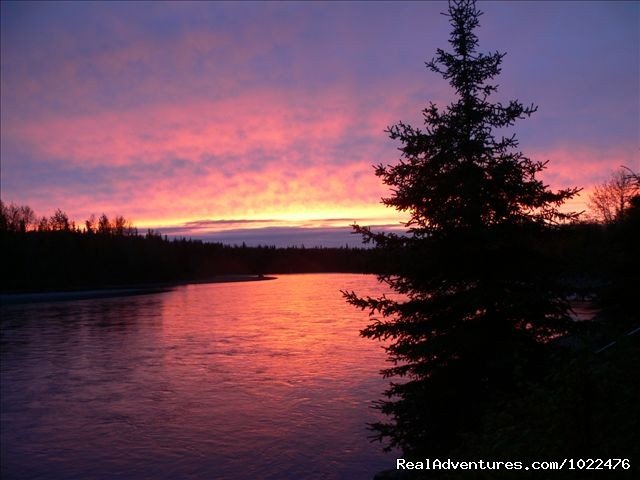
(53, 253)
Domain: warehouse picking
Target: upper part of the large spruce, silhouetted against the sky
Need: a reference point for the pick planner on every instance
(457, 173)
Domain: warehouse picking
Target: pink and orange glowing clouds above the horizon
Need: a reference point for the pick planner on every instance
(253, 158)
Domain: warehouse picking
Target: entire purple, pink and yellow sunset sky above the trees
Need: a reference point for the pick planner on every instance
(260, 122)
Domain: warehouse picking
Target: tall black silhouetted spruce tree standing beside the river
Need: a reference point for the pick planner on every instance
(477, 297)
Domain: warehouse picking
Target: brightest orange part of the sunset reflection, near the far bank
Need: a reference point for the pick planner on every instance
(295, 327)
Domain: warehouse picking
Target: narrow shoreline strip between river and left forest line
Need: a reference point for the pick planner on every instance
(12, 298)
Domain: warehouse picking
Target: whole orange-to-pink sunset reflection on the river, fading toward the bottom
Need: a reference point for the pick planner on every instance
(277, 366)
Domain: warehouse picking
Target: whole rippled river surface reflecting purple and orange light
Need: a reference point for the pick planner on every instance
(257, 380)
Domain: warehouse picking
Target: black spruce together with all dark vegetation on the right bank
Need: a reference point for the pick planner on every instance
(486, 361)
